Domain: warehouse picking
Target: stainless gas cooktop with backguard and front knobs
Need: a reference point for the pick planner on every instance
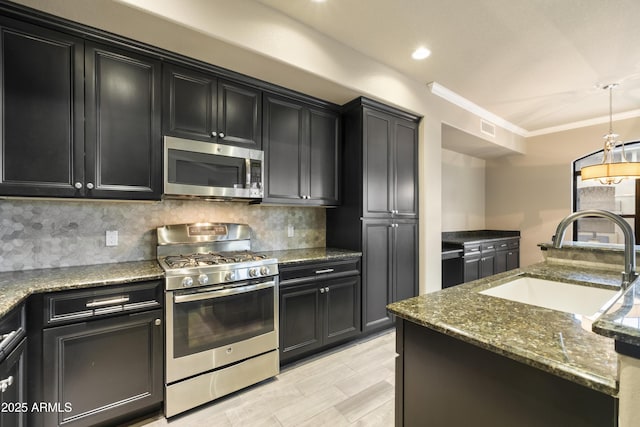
(210, 254)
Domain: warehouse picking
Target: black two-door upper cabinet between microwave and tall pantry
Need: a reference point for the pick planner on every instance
(302, 147)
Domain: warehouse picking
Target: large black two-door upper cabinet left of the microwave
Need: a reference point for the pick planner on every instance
(77, 120)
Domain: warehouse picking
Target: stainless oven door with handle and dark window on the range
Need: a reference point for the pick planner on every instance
(210, 327)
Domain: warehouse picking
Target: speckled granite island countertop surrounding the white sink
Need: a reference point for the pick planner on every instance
(560, 343)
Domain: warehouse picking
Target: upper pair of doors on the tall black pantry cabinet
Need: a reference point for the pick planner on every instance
(390, 156)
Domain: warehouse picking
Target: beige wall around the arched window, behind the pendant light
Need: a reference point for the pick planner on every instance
(532, 193)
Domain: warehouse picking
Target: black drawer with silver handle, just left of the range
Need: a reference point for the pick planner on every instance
(79, 304)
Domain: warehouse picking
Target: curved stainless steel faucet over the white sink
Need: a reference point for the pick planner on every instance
(629, 274)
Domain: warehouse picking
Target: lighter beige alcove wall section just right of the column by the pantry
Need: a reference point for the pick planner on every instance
(463, 192)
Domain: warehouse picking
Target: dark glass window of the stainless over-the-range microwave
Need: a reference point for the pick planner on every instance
(206, 170)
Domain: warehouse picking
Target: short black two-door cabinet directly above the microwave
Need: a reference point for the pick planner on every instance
(202, 106)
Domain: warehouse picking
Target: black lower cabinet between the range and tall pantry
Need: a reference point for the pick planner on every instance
(318, 311)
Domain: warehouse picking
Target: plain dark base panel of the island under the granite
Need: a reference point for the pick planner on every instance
(444, 381)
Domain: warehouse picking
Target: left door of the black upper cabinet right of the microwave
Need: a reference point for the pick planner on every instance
(283, 139)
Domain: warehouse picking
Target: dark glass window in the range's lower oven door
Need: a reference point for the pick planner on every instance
(216, 322)
